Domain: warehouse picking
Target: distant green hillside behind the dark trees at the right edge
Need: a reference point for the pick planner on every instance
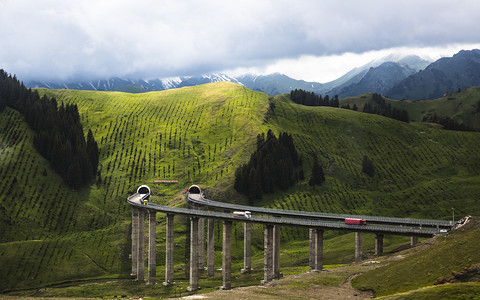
(463, 106)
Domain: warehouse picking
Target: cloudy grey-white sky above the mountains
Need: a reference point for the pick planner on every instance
(312, 40)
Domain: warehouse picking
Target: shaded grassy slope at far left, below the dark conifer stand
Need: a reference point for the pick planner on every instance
(49, 232)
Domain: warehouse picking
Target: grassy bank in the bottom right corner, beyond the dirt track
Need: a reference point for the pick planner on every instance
(453, 252)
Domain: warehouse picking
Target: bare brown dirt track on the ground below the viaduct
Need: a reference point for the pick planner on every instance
(302, 286)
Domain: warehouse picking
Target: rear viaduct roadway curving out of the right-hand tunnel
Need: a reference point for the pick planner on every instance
(200, 200)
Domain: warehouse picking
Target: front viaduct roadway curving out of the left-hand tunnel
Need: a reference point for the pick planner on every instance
(137, 201)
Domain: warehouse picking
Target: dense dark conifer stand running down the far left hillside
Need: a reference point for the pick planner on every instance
(59, 135)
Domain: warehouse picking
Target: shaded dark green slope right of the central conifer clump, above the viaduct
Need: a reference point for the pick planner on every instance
(419, 170)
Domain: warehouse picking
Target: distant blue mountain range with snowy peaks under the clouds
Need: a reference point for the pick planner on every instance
(398, 77)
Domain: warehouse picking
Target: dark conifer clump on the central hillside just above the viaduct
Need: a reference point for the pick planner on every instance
(274, 164)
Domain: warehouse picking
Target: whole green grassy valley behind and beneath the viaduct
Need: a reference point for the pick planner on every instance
(52, 234)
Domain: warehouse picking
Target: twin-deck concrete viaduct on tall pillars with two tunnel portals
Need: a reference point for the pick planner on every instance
(272, 219)
